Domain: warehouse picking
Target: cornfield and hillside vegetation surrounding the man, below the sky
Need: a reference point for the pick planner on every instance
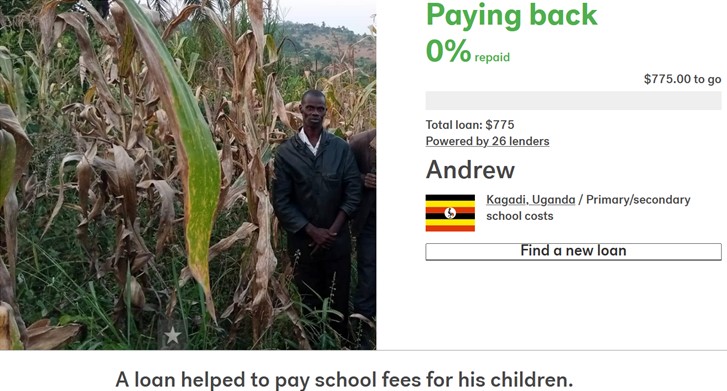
(137, 151)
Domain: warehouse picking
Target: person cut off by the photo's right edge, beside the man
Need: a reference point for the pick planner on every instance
(364, 228)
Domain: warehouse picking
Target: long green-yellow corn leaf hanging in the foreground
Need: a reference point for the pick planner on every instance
(196, 151)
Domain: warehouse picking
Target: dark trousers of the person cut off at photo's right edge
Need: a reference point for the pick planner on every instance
(364, 301)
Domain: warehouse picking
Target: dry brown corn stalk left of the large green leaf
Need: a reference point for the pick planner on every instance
(109, 145)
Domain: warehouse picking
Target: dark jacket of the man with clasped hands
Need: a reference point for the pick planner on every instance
(312, 189)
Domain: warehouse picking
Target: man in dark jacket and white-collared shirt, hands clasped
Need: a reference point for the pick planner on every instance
(316, 189)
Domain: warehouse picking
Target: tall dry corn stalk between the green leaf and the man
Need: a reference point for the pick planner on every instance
(248, 121)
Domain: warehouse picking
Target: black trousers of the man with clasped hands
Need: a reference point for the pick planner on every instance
(320, 277)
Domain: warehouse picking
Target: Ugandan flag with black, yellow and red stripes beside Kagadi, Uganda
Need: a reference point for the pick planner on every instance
(450, 213)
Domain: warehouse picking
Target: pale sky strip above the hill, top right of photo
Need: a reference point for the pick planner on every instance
(355, 15)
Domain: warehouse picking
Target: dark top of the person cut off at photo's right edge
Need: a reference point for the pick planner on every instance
(365, 155)
